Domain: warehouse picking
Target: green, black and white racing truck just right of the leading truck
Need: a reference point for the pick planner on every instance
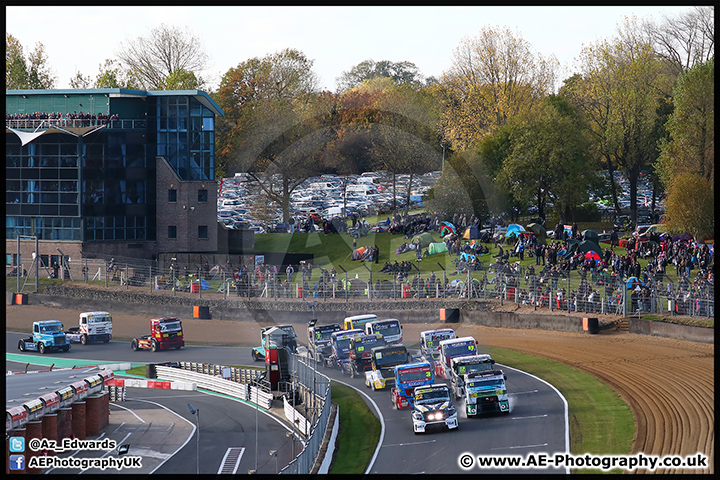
(485, 392)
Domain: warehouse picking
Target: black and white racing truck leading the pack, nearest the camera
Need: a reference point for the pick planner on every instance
(433, 408)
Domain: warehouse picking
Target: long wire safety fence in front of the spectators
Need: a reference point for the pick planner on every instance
(573, 290)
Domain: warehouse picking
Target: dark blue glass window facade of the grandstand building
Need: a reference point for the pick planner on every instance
(100, 185)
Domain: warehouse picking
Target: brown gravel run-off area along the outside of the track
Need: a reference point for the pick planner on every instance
(668, 383)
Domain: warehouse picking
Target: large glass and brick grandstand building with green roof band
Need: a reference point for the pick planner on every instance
(109, 172)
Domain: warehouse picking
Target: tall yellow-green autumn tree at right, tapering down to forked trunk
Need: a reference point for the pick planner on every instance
(621, 86)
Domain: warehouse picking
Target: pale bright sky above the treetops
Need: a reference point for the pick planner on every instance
(79, 39)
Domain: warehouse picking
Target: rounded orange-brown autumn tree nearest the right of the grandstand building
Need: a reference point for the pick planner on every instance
(271, 127)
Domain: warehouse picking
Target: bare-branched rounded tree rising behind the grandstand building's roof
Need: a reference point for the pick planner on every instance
(167, 50)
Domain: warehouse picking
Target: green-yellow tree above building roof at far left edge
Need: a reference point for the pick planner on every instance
(31, 72)
